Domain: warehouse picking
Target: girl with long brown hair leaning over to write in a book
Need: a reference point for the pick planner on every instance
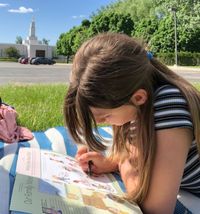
(155, 116)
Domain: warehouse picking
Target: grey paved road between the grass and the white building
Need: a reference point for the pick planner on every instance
(59, 73)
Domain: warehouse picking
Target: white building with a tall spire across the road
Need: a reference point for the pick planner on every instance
(30, 47)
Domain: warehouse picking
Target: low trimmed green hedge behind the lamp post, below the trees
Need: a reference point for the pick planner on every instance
(184, 58)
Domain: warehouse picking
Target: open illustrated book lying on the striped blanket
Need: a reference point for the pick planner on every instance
(51, 183)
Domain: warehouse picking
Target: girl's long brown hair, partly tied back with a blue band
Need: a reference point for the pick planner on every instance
(106, 71)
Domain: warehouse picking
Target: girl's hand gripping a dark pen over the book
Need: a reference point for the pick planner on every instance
(101, 164)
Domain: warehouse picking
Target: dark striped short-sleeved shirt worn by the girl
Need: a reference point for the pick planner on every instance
(171, 111)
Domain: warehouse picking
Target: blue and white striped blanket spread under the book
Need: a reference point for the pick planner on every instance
(55, 139)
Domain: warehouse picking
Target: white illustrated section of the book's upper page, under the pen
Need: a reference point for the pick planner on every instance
(66, 169)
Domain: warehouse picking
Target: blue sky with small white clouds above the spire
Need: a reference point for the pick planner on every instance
(51, 17)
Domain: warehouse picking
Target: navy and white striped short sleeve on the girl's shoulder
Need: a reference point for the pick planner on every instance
(171, 109)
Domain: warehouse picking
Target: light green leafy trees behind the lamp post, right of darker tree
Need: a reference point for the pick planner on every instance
(152, 19)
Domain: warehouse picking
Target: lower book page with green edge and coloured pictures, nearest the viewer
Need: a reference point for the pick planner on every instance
(37, 196)
